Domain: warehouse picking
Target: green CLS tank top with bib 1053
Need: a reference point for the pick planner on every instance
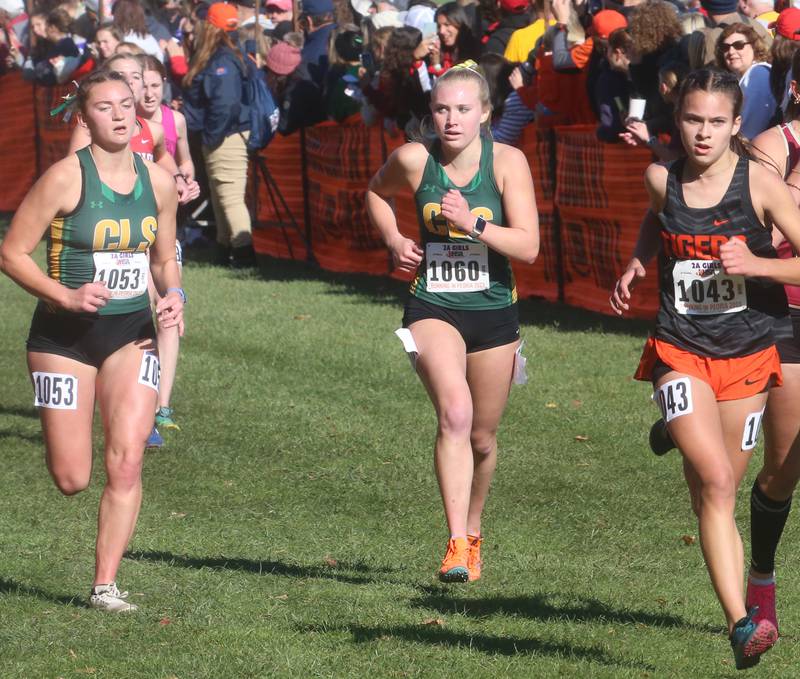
(106, 237)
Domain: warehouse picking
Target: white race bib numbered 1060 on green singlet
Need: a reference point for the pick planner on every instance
(457, 267)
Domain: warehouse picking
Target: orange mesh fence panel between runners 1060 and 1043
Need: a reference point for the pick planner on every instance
(601, 201)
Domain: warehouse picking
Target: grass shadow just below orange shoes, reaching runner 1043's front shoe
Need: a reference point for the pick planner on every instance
(539, 607)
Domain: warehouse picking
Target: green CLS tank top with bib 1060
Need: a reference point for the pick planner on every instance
(456, 271)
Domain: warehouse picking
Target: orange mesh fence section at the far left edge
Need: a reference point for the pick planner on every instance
(17, 139)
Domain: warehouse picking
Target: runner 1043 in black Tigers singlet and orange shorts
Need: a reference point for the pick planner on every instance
(712, 357)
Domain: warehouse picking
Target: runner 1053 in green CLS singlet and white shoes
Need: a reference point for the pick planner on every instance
(92, 336)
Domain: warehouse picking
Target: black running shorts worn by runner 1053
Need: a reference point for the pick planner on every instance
(90, 339)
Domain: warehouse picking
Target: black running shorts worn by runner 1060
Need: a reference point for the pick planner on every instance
(480, 328)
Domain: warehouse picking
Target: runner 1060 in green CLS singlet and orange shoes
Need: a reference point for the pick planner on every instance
(477, 209)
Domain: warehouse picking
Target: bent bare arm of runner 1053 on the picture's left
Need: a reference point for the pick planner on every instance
(56, 193)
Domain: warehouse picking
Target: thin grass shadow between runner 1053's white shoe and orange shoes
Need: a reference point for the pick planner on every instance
(353, 572)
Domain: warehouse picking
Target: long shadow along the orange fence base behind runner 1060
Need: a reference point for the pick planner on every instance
(385, 290)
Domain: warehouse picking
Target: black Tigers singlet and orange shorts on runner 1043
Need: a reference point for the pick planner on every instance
(705, 313)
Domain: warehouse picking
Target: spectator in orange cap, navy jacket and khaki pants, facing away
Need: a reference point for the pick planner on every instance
(214, 107)
